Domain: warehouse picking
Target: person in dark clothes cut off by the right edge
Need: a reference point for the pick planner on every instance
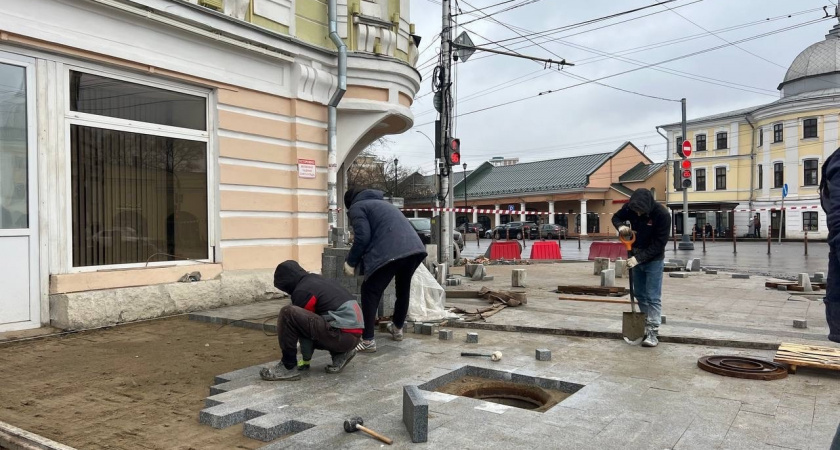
(830, 199)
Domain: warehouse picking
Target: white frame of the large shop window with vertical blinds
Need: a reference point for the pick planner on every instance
(111, 123)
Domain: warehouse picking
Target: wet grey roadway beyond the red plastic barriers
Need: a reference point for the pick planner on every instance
(785, 259)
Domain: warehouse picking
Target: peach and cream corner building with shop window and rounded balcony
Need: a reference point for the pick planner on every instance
(143, 142)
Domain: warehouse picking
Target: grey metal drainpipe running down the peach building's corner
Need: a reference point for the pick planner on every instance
(332, 118)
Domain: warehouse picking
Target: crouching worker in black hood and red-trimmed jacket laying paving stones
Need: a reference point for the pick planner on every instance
(323, 315)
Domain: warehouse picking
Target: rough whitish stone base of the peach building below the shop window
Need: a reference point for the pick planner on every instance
(91, 309)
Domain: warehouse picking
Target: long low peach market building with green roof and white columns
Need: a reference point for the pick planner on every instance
(578, 192)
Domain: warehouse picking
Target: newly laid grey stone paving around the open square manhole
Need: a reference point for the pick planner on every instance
(632, 398)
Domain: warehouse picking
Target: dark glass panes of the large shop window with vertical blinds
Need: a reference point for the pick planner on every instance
(137, 196)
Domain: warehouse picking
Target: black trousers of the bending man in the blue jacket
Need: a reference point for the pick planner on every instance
(400, 270)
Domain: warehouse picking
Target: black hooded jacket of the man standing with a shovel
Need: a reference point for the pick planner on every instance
(652, 227)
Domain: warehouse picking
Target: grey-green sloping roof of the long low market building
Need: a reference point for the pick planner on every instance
(539, 176)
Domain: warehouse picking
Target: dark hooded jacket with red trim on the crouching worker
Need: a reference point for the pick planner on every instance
(320, 296)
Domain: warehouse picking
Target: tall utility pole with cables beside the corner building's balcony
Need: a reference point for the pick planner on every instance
(445, 81)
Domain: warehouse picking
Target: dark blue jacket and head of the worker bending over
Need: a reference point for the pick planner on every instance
(381, 233)
